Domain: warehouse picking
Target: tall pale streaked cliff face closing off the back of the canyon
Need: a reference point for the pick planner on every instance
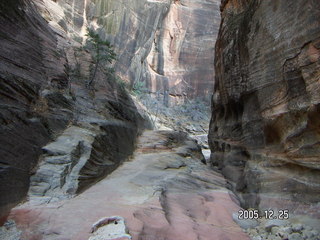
(168, 45)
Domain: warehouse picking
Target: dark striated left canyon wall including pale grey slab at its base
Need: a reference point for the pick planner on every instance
(41, 104)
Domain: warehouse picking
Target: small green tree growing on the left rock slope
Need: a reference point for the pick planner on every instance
(101, 51)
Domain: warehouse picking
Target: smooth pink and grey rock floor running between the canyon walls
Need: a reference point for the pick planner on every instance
(164, 191)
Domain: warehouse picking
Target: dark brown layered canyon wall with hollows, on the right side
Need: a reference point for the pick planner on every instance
(265, 128)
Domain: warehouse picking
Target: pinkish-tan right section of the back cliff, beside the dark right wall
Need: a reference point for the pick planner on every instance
(183, 50)
